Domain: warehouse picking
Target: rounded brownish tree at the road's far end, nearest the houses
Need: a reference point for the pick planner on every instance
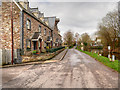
(69, 38)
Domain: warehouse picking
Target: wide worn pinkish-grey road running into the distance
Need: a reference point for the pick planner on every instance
(76, 70)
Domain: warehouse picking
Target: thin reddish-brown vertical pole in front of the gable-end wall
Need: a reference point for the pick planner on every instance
(12, 56)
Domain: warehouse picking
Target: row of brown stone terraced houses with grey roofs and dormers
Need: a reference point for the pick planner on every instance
(31, 30)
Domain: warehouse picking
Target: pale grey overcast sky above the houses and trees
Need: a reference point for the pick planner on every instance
(77, 16)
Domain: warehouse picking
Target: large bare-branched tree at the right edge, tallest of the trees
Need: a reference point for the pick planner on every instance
(109, 29)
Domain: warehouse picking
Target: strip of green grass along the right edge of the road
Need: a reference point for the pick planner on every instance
(114, 65)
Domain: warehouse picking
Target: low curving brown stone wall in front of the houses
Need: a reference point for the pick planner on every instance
(46, 56)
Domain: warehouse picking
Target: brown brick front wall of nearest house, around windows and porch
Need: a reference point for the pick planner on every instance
(34, 28)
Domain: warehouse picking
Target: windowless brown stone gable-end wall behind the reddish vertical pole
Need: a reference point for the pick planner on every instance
(6, 26)
